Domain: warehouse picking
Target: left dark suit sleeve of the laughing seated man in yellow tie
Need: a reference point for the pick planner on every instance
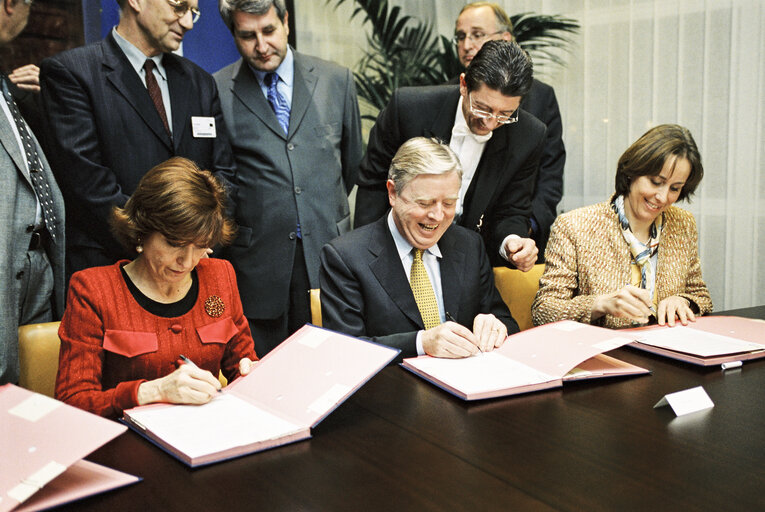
(342, 304)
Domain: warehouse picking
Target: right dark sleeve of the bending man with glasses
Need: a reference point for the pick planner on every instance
(512, 208)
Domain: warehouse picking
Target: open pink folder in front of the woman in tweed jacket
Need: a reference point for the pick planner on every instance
(708, 341)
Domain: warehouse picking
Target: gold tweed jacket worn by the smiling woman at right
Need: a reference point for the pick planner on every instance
(587, 256)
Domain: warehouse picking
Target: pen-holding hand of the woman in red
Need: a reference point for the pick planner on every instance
(186, 385)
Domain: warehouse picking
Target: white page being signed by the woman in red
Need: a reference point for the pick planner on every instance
(223, 423)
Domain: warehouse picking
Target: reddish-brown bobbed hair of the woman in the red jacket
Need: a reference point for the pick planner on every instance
(178, 200)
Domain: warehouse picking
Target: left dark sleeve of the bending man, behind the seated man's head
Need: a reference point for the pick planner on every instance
(384, 141)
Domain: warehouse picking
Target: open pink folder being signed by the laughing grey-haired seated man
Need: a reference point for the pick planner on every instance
(535, 359)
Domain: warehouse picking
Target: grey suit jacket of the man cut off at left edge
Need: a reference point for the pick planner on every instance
(17, 212)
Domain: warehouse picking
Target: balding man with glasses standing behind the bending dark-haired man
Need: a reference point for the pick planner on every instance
(477, 23)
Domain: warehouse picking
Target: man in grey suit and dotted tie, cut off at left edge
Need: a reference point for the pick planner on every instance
(32, 215)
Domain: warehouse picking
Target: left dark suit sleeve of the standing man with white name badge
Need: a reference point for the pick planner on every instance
(73, 139)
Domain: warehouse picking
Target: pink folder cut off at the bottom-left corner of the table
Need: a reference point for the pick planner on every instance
(42, 442)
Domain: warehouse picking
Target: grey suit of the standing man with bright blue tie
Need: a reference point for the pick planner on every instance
(304, 175)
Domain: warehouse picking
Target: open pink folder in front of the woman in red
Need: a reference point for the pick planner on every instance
(289, 391)
